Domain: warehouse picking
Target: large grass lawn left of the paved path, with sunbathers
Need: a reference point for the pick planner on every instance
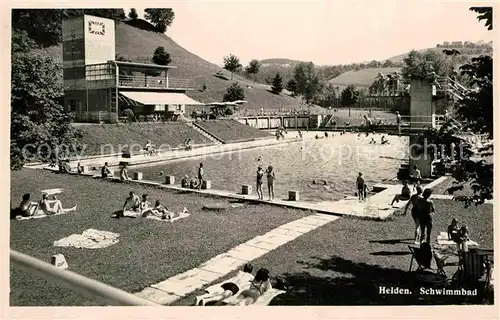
(148, 251)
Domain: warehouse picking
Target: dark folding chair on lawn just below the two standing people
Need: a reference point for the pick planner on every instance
(425, 272)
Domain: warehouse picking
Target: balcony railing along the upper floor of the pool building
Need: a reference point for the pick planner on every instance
(154, 82)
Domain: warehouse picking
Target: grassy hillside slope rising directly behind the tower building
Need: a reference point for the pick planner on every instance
(138, 45)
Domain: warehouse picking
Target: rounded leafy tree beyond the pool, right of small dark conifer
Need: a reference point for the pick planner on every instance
(308, 82)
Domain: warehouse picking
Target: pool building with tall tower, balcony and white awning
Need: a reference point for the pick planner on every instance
(98, 88)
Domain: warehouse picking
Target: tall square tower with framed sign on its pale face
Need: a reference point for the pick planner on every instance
(87, 40)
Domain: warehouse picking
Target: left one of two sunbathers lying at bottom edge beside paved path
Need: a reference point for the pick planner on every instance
(230, 288)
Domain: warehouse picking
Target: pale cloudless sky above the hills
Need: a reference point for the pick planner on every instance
(324, 32)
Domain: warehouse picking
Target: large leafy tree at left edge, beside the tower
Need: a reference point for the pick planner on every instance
(41, 130)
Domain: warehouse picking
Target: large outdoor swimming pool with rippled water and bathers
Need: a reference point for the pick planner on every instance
(336, 160)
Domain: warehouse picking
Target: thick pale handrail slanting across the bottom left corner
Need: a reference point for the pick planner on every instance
(78, 283)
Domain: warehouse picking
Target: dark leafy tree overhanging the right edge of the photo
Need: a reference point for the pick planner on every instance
(474, 164)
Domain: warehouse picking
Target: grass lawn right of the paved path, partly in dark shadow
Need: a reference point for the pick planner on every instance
(345, 261)
